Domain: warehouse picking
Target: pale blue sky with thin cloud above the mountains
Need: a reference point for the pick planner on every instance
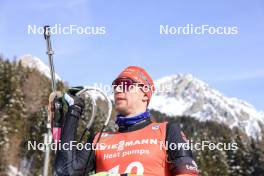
(232, 64)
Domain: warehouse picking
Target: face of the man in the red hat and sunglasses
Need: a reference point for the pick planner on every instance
(129, 101)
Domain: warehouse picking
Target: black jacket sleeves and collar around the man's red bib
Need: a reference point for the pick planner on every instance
(73, 162)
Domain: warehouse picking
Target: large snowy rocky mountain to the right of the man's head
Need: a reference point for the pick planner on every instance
(183, 94)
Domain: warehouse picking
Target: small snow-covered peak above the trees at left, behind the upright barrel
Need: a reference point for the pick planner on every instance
(34, 62)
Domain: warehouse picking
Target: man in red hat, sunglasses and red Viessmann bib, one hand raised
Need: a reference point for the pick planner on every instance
(138, 147)
